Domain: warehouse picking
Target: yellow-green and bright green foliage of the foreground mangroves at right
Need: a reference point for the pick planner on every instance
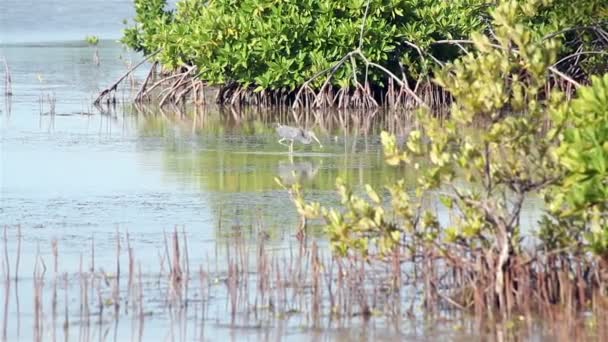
(526, 141)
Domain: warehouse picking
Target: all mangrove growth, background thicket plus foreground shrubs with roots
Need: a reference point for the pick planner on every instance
(530, 75)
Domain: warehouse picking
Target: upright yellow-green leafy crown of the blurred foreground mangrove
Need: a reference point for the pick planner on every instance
(499, 87)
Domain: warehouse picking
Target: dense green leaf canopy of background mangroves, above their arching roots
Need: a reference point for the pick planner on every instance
(279, 44)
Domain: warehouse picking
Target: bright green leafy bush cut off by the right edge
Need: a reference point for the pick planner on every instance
(578, 204)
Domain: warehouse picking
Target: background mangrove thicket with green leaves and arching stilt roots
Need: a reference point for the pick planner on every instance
(341, 53)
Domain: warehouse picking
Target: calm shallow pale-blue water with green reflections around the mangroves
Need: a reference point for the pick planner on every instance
(83, 174)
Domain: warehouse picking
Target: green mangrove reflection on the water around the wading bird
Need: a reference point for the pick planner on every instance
(232, 151)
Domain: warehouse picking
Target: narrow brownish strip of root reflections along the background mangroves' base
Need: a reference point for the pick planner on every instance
(251, 121)
